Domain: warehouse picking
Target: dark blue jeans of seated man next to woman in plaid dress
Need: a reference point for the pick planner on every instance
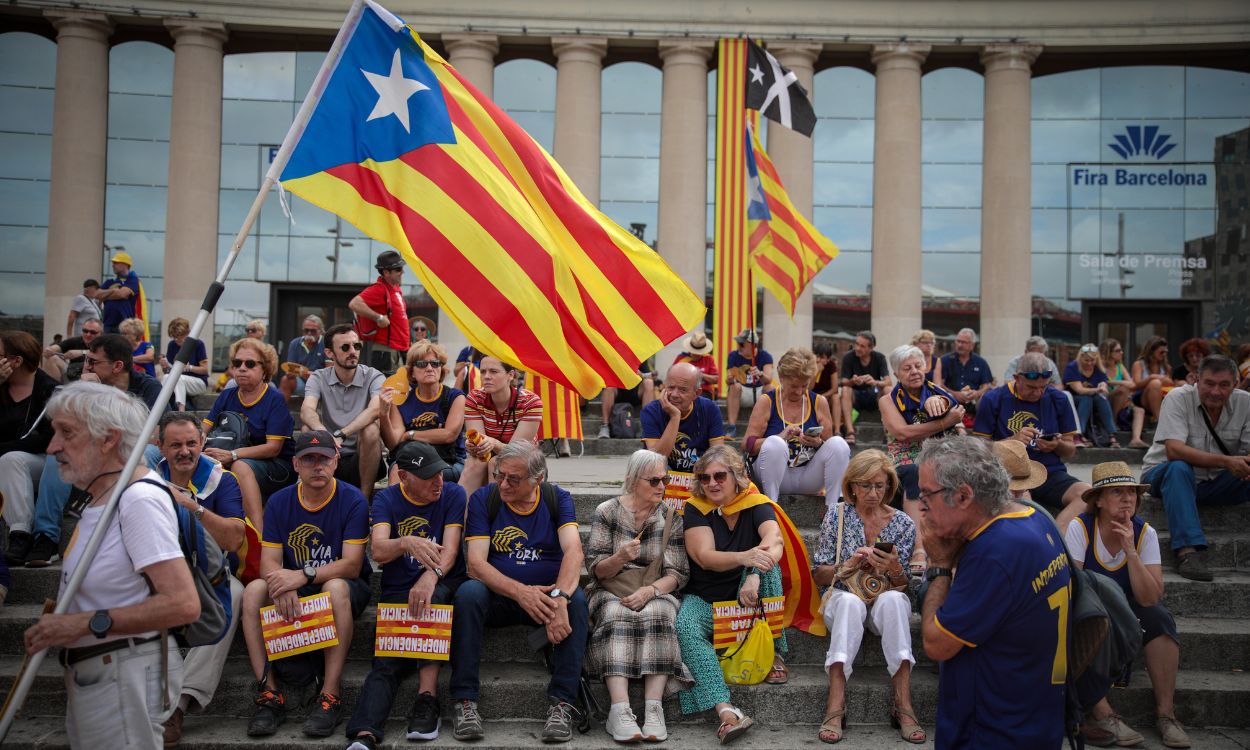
(479, 608)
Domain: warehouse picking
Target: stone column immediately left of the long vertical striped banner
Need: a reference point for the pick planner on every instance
(683, 232)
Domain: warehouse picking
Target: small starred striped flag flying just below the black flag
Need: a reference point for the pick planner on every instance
(787, 251)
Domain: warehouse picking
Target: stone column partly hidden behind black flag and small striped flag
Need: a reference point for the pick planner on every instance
(792, 154)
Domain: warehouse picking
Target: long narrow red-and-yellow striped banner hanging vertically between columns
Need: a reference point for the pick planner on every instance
(734, 292)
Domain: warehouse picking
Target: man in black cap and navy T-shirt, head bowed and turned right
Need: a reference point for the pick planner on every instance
(417, 531)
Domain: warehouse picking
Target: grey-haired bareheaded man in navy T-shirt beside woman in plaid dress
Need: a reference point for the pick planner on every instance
(524, 554)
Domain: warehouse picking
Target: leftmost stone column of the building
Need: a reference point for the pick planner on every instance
(81, 137)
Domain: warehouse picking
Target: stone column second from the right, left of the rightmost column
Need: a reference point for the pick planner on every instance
(897, 259)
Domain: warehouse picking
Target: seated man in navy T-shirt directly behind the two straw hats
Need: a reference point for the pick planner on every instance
(1028, 409)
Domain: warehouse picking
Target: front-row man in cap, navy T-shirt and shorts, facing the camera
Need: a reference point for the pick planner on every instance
(313, 542)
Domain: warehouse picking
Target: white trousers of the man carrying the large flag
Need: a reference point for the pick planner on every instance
(116, 699)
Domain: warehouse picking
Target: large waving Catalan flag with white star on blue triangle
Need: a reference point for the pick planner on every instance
(416, 157)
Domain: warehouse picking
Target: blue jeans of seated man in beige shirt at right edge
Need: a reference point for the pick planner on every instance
(1182, 493)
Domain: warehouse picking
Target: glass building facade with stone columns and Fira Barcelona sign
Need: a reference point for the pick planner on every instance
(1073, 169)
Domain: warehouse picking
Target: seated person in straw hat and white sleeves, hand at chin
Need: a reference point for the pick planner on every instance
(1112, 539)
